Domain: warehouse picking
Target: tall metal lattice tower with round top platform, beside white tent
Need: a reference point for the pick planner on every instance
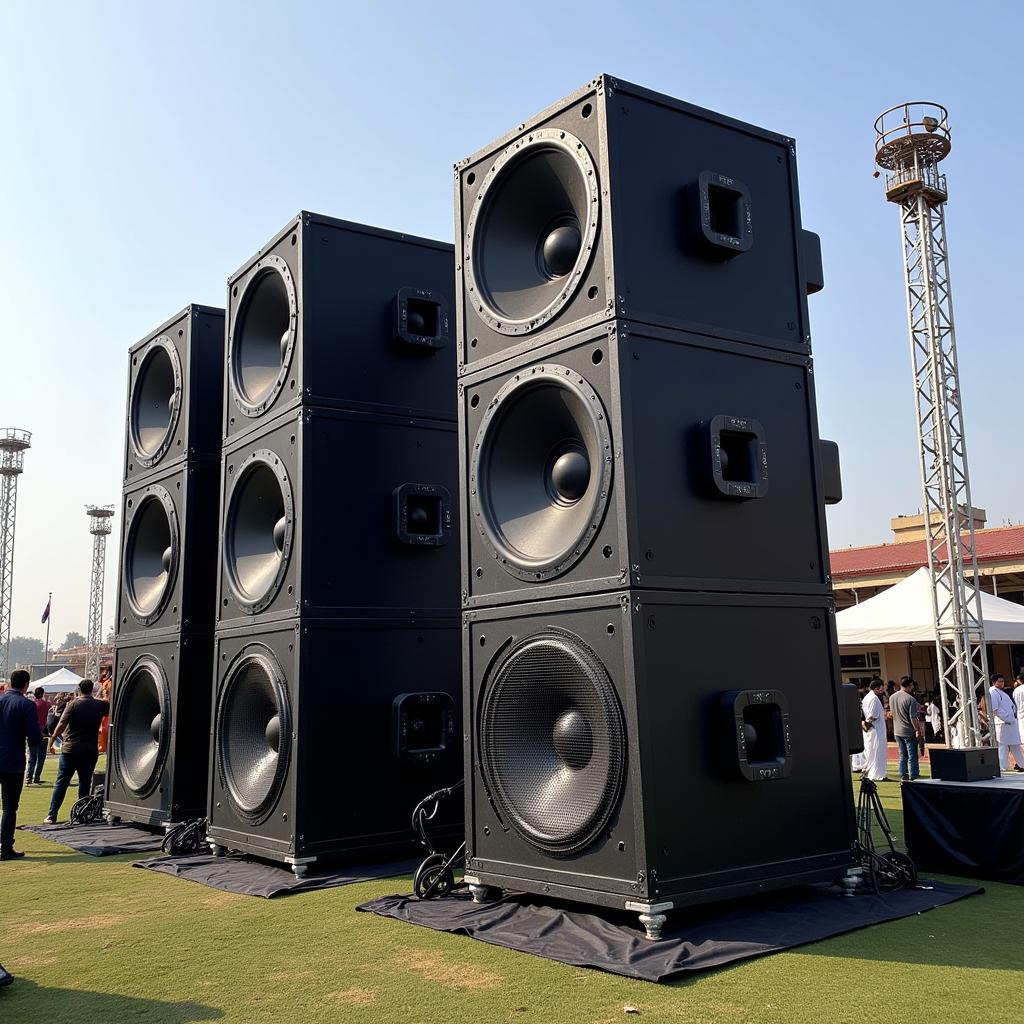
(912, 140)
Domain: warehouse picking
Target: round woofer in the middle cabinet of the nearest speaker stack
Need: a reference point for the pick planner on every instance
(541, 472)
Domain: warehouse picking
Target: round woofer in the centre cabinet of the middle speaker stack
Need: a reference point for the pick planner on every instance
(259, 530)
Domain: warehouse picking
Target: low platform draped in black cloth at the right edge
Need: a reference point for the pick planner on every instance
(972, 829)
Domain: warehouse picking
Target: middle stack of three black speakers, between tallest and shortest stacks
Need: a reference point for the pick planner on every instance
(337, 653)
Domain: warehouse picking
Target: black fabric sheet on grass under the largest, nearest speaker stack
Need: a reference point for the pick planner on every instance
(695, 940)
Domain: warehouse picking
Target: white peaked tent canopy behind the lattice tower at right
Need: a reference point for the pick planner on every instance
(904, 615)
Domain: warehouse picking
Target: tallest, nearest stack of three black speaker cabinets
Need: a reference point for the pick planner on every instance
(652, 690)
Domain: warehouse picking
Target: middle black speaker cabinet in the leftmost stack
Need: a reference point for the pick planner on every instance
(169, 540)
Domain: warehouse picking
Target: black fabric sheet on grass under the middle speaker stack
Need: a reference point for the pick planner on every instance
(248, 877)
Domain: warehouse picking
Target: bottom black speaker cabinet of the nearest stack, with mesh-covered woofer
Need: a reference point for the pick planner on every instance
(620, 757)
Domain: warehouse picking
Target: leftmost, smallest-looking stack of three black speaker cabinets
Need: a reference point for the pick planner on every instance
(160, 718)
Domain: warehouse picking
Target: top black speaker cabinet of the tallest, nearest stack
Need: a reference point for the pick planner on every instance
(620, 202)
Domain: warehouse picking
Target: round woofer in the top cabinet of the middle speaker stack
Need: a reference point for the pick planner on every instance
(264, 328)
